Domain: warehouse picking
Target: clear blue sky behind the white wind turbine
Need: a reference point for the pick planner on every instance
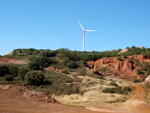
(53, 24)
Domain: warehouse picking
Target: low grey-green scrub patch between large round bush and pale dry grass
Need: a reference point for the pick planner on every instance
(57, 84)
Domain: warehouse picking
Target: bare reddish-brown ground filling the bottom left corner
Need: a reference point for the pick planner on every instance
(12, 101)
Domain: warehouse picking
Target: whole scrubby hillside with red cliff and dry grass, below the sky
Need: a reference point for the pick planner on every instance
(83, 79)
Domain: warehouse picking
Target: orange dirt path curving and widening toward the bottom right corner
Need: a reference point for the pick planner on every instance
(134, 105)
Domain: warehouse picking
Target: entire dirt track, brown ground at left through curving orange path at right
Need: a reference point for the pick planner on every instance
(12, 101)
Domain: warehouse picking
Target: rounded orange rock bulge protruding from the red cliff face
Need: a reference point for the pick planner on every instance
(128, 66)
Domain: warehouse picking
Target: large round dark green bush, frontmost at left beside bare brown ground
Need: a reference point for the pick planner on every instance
(34, 78)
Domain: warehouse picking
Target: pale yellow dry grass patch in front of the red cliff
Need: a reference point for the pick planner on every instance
(92, 88)
